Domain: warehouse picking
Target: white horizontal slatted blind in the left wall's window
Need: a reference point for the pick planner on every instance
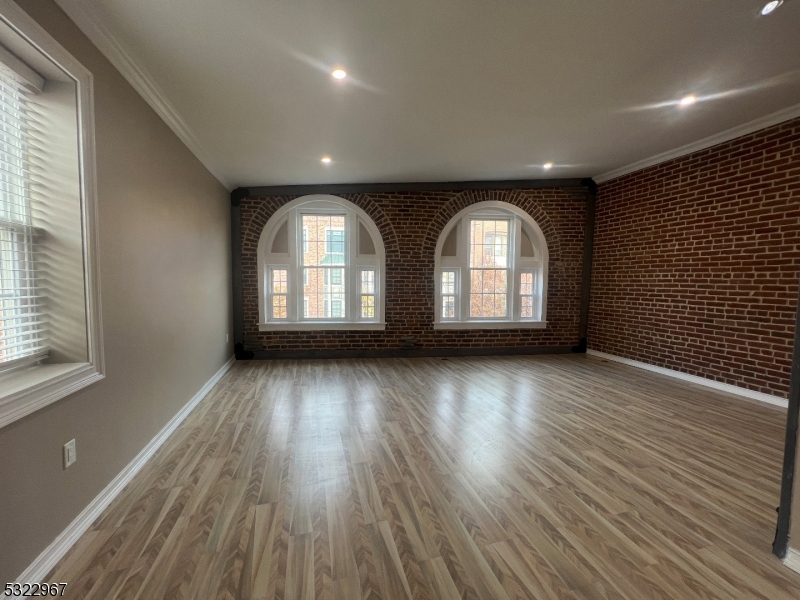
(23, 330)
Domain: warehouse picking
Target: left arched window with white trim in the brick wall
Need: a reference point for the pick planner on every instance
(320, 266)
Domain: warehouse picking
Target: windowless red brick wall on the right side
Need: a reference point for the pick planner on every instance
(697, 262)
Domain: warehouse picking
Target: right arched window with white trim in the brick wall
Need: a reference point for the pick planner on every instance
(491, 270)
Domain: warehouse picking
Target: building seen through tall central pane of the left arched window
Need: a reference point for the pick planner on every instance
(323, 264)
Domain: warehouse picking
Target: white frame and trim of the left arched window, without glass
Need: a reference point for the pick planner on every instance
(355, 262)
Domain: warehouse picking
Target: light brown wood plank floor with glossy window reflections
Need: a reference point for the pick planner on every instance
(559, 477)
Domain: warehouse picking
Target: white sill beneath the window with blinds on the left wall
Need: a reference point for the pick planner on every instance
(29, 389)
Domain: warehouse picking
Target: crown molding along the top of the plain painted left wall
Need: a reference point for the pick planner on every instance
(141, 80)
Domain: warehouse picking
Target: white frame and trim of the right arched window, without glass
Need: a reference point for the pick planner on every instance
(459, 265)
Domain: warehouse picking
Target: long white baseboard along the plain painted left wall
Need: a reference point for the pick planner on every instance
(39, 568)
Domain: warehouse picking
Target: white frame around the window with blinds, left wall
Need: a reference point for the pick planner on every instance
(32, 387)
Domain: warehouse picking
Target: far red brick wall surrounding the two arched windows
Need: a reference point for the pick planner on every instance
(410, 224)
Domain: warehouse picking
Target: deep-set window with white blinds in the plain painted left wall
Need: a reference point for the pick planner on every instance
(50, 326)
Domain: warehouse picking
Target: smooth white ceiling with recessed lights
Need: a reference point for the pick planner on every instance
(446, 90)
